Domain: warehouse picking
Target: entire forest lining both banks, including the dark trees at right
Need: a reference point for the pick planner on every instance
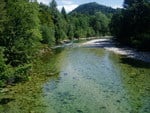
(26, 27)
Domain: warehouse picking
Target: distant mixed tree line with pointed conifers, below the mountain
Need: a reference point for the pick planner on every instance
(62, 26)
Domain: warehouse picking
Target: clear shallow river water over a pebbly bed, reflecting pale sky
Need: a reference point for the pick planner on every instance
(90, 80)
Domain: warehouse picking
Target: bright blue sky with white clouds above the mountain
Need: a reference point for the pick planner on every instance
(72, 4)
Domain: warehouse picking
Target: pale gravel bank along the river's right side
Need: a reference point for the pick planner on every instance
(111, 45)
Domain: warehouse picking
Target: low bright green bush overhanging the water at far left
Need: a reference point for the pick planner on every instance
(9, 74)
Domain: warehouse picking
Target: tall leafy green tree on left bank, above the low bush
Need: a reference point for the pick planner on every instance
(21, 37)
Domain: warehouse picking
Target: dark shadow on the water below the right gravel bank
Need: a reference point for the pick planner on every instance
(135, 63)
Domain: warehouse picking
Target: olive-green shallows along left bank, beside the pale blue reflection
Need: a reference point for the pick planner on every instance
(27, 97)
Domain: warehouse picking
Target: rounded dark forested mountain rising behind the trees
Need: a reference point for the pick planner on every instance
(92, 8)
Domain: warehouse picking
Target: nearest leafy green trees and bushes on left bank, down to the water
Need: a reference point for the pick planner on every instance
(19, 36)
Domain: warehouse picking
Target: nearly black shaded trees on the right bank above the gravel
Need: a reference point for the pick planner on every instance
(132, 24)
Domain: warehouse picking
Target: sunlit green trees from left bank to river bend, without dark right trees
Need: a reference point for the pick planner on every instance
(25, 25)
